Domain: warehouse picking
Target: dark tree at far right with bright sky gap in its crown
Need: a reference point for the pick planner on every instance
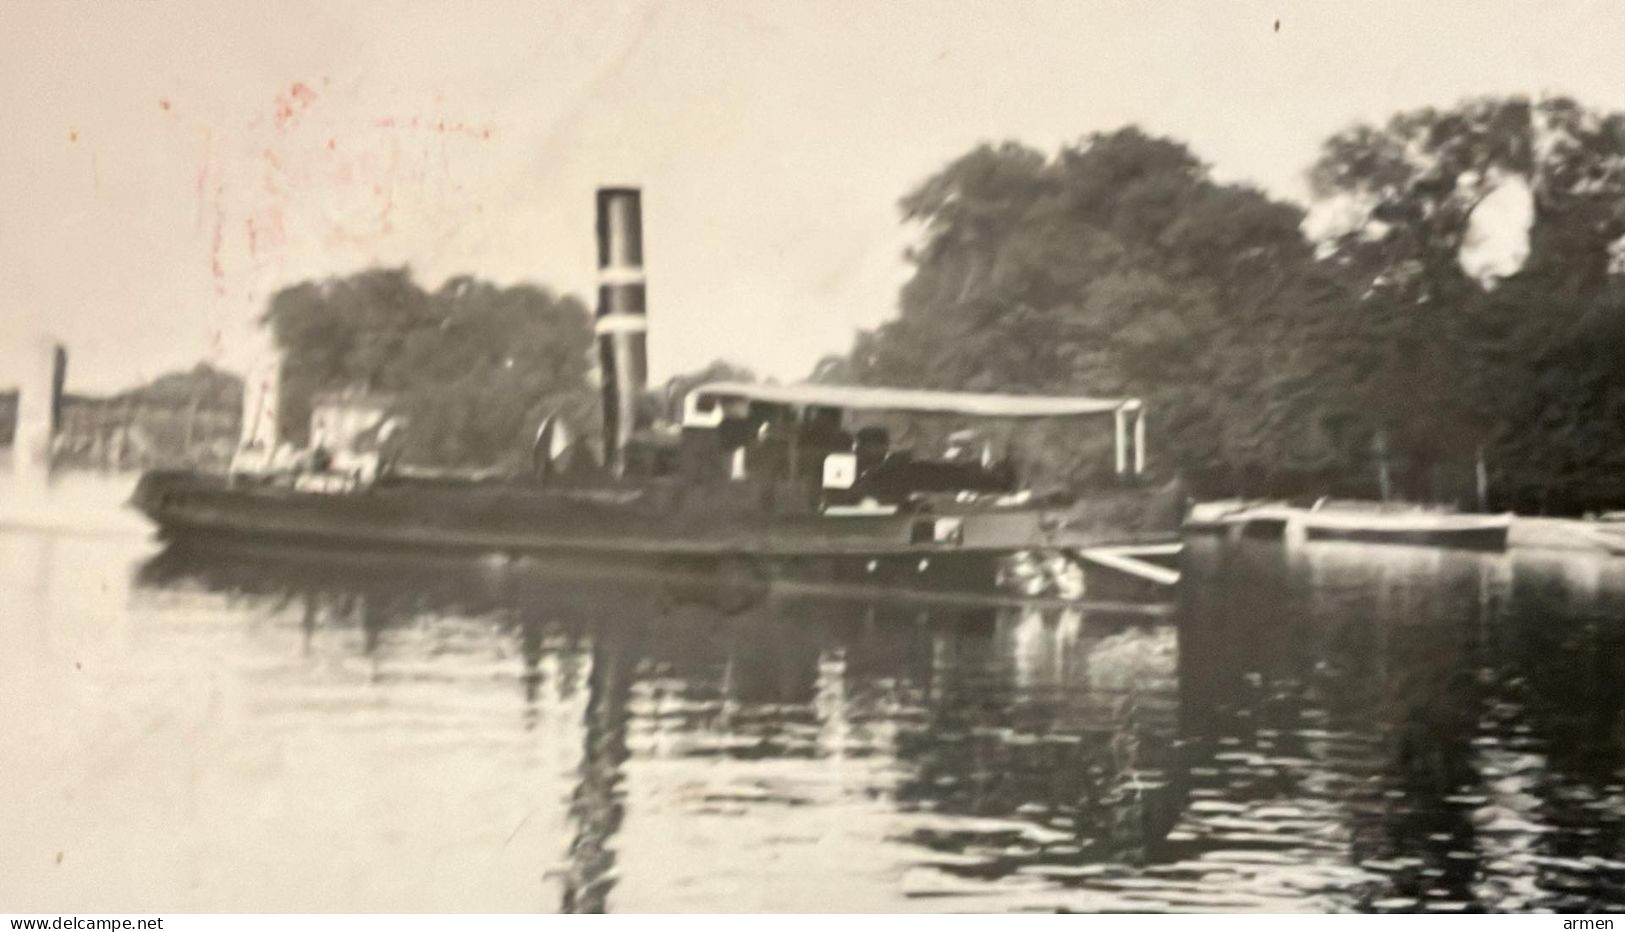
(1457, 361)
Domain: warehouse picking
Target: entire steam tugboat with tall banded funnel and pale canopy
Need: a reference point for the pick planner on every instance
(763, 477)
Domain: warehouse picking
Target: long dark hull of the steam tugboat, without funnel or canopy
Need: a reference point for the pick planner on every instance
(701, 532)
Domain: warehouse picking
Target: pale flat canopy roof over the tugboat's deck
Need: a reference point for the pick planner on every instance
(914, 400)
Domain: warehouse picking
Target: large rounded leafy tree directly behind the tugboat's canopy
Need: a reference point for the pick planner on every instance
(1119, 267)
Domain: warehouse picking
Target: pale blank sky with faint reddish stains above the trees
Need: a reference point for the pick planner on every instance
(167, 165)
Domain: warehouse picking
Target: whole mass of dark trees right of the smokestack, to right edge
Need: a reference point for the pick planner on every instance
(1382, 360)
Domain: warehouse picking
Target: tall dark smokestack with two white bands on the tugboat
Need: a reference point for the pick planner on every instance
(622, 322)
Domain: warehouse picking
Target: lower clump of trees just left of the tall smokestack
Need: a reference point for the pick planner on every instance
(474, 368)
